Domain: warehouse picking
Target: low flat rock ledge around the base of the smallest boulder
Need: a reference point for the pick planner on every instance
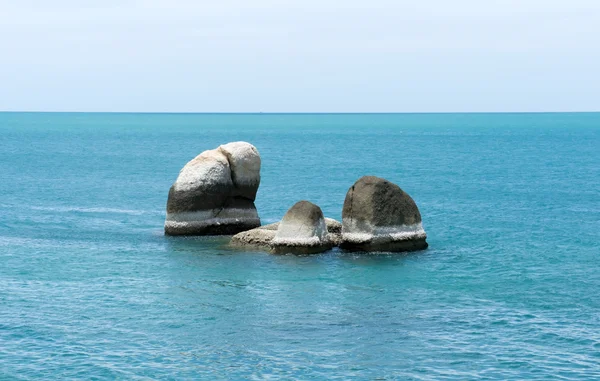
(262, 236)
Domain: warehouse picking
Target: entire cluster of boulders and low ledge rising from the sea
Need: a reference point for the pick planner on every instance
(214, 195)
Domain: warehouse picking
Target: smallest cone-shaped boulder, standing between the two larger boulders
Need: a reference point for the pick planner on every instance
(302, 230)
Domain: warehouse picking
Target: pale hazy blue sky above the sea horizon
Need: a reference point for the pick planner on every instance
(300, 55)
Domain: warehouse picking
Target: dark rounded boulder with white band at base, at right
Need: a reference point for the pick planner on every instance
(379, 216)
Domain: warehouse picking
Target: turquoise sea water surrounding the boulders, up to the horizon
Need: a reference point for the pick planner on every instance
(509, 288)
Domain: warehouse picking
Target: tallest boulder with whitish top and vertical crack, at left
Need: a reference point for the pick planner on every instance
(214, 193)
